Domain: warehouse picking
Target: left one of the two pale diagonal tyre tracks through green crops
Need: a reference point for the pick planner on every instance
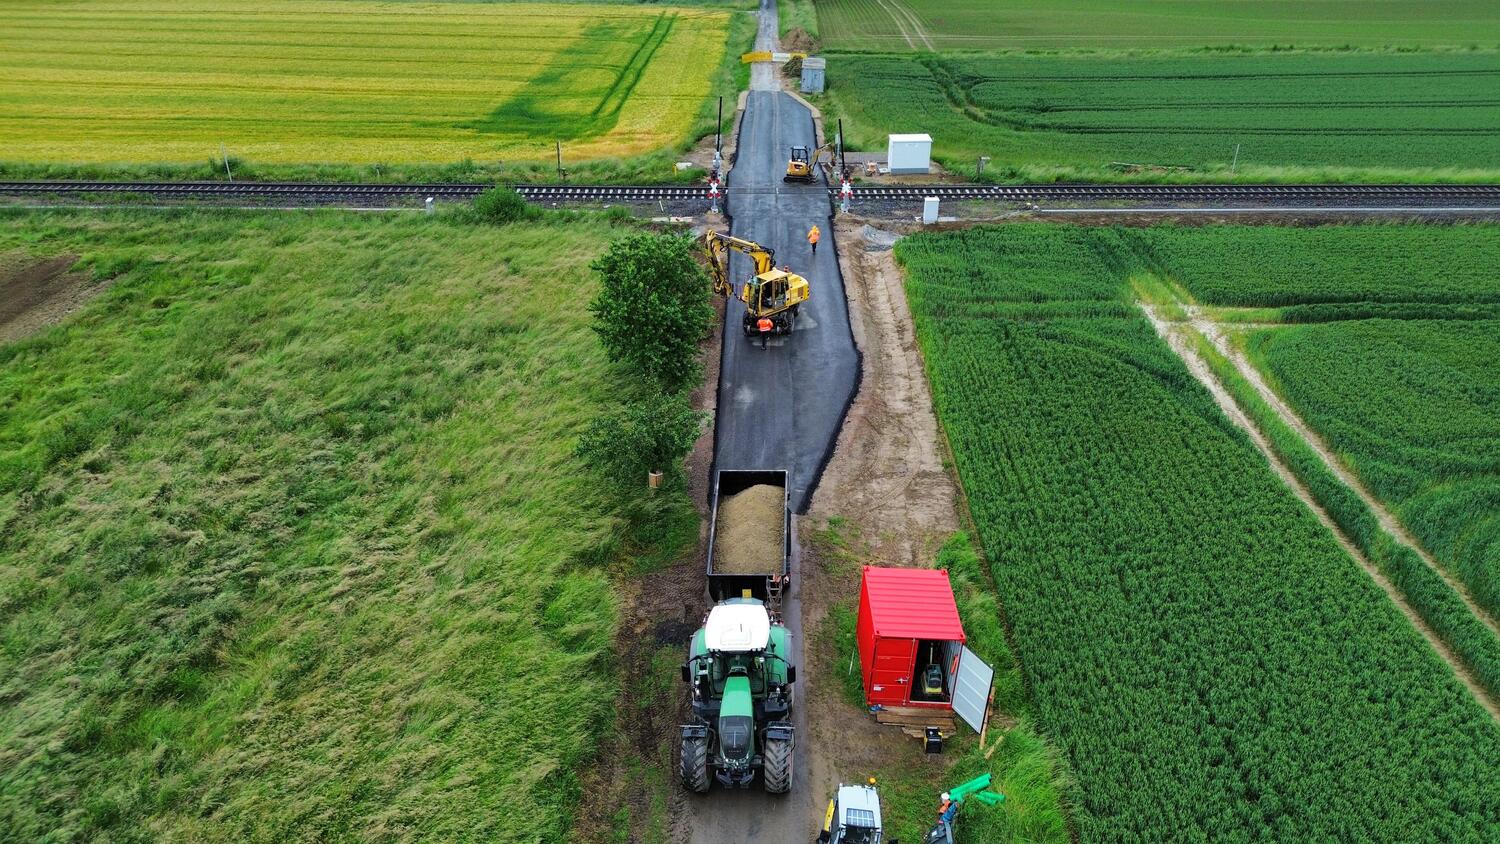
(1204, 374)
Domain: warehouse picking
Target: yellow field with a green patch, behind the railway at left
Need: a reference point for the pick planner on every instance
(347, 82)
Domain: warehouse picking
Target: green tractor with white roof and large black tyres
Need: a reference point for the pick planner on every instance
(742, 701)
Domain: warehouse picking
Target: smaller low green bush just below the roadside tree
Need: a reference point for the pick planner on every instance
(653, 434)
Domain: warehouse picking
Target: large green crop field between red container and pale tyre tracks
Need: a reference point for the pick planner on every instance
(1210, 660)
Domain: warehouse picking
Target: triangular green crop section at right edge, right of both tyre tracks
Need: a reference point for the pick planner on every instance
(1415, 409)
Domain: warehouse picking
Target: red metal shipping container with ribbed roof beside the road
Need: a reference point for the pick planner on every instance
(910, 636)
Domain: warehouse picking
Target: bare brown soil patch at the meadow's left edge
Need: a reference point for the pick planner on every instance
(40, 293)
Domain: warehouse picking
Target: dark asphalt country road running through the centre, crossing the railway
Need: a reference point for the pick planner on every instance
(781, 407)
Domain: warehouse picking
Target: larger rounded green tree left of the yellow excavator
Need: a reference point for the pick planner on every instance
(653, 308)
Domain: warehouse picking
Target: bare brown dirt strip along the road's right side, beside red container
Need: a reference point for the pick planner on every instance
(890, 494)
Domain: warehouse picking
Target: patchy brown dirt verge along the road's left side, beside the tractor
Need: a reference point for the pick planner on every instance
(632, 794)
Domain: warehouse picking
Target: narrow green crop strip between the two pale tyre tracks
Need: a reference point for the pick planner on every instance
(1439, 606)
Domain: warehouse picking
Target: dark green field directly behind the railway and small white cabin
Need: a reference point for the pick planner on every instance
(1189, 116)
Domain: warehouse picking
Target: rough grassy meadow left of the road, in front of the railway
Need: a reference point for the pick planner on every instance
(293, 543)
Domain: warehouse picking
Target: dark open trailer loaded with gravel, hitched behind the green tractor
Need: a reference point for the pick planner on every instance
(751, 537)
